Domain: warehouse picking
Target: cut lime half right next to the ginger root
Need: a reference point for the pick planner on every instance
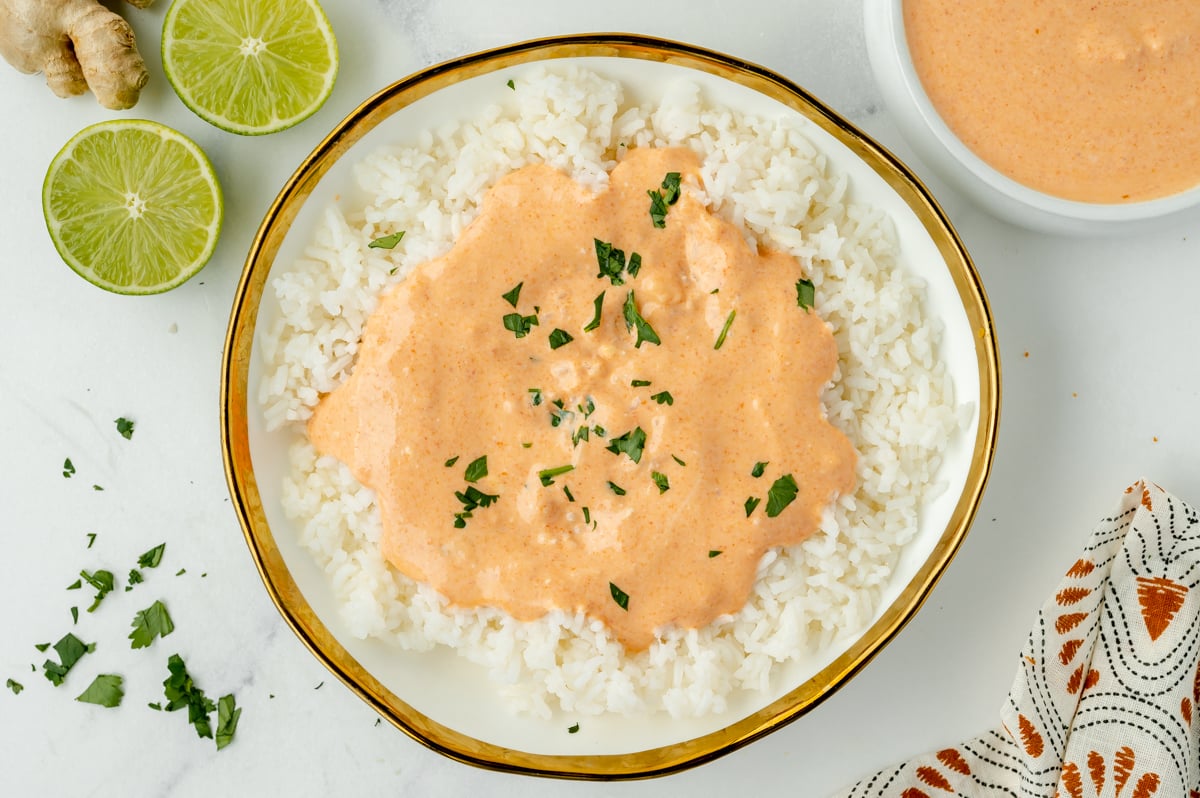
(250, 67)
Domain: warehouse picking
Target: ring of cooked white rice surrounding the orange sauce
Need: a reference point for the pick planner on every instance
(891, 397)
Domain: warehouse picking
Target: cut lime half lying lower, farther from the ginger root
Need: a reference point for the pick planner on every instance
(133, 206)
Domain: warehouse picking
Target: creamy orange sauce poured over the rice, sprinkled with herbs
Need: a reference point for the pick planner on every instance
(439, 376)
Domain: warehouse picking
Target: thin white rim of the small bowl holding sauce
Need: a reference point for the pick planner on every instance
(993, 179)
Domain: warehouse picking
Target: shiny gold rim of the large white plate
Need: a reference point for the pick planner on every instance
(237, 401)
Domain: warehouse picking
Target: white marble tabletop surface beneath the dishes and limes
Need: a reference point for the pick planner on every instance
(1106, 394)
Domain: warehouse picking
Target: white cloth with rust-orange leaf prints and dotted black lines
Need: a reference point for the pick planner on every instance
(1107, 703)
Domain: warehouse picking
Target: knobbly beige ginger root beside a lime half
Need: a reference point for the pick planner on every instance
(80, 45)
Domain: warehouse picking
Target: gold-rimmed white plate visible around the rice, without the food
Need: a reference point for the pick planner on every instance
(447, 703)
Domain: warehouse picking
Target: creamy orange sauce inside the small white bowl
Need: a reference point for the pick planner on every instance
(1091, 101)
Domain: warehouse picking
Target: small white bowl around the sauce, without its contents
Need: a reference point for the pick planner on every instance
(957, 165)
